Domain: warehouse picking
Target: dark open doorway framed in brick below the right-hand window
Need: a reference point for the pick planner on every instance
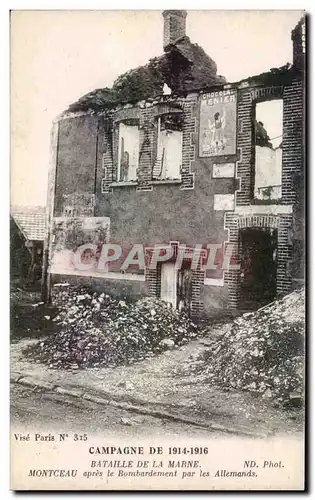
(258, 248)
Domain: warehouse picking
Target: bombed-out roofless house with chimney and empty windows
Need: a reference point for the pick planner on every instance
(173, 154)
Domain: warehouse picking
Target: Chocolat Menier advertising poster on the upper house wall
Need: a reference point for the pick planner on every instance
(217, 135)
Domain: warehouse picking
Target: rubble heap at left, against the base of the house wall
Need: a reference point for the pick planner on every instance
(99, 330)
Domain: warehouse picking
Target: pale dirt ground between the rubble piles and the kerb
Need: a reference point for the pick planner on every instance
(174, 381)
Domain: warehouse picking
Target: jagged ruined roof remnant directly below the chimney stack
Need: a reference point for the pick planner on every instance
(184, 67)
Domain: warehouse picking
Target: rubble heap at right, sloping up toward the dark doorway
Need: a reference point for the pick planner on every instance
(262, 351)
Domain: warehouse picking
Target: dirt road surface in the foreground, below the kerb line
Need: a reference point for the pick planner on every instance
(43, 410)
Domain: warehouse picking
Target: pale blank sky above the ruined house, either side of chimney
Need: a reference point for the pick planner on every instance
(58, 56)
